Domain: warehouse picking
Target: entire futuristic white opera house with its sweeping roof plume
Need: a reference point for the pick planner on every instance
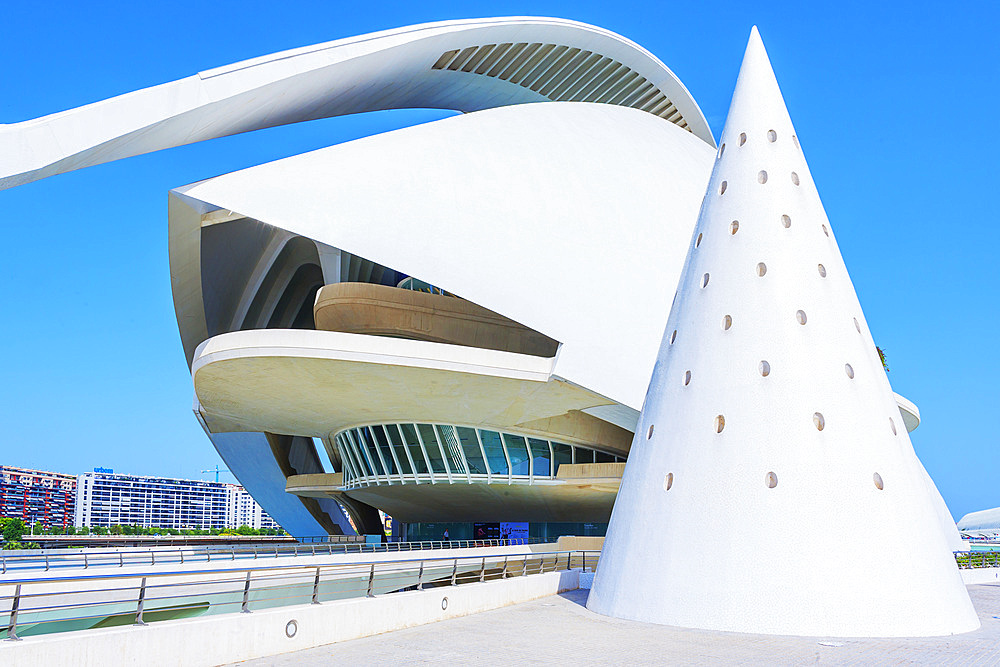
(464, 314)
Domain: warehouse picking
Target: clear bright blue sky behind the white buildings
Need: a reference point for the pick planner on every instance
(894, 104)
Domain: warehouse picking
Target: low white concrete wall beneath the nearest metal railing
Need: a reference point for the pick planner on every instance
(217, 640)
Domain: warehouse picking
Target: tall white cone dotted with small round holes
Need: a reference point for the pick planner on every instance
(771, 486)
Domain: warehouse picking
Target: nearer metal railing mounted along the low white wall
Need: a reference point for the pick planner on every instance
(36, 606)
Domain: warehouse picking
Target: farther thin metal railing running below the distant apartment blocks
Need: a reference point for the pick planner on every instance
(46, 560)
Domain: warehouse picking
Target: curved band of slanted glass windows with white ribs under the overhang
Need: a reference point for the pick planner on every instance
(442, 453)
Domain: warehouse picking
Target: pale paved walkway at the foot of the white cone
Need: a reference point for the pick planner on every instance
(560, 630)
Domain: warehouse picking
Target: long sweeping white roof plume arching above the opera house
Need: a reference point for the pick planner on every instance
(466, 65)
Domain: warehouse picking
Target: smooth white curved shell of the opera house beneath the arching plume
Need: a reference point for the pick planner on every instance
(509, 208)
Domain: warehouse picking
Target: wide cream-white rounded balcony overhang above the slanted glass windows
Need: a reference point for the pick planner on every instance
(317, 383)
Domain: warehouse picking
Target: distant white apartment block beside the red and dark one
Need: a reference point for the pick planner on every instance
(107, 499)
